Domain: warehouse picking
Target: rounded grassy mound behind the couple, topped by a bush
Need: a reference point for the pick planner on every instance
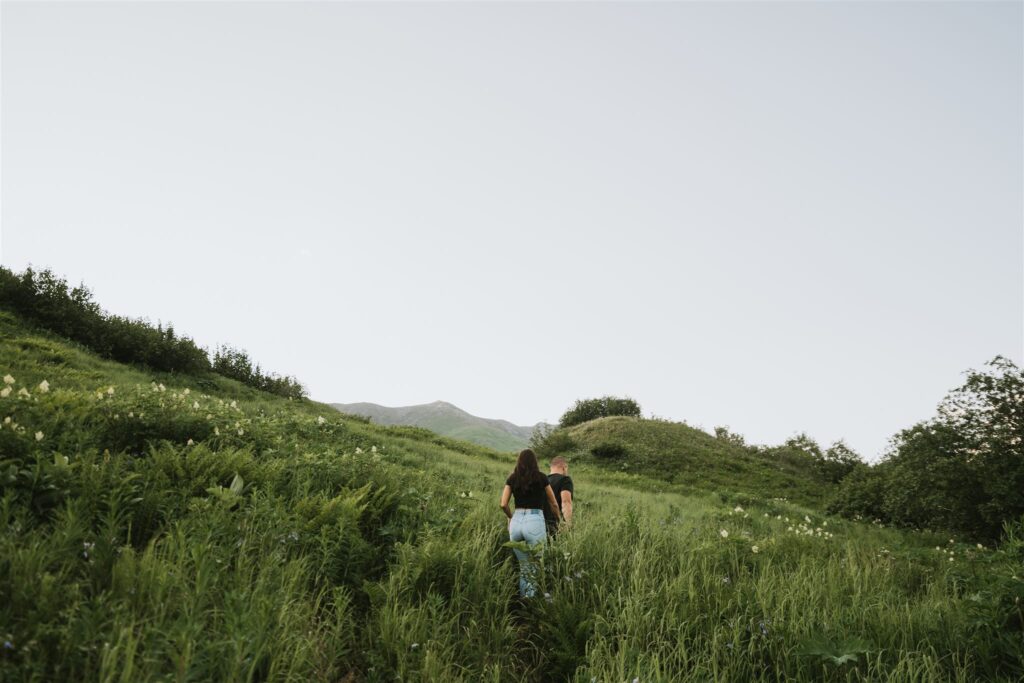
(680, 454)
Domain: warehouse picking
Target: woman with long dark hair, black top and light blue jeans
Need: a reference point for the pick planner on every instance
(530, 488)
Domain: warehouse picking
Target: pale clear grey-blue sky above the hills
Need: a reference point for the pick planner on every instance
(780, 218)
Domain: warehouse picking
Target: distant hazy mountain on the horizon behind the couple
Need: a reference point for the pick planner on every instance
(447, 420)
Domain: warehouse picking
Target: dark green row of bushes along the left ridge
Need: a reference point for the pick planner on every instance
(50, 303)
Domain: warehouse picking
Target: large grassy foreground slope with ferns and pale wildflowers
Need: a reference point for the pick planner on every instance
(159, 527)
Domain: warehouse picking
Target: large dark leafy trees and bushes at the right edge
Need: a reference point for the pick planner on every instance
(963, 471)
